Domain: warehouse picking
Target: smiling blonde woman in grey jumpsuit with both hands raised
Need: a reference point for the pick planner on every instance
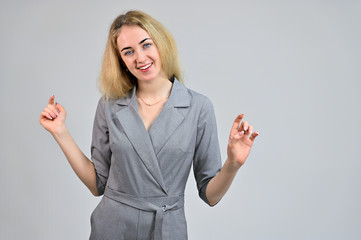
(148, 131)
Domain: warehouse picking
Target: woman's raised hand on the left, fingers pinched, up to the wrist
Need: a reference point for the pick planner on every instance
(52, 118)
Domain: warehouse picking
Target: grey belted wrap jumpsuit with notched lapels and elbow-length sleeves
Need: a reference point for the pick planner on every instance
(143, 174)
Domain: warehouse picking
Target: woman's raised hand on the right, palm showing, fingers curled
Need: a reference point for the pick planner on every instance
(240, 142)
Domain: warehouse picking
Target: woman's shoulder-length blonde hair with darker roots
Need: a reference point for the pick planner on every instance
(115, 81)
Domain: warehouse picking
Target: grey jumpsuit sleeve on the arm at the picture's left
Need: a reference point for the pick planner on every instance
(100, 149)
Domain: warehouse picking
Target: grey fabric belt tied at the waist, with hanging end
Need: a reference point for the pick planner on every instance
(149, 205)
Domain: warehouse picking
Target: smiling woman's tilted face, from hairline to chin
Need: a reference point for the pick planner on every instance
(139, 53)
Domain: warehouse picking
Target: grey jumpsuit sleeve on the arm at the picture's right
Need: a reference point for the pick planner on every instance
(207, 158)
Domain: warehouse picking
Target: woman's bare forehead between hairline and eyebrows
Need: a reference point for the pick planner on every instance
(131, 35)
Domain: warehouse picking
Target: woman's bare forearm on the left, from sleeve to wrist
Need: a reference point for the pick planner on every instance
(81, 165)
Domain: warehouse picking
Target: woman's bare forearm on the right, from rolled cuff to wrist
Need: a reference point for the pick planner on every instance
(219, 185)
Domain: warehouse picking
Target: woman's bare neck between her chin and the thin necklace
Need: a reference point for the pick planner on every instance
(154, 89)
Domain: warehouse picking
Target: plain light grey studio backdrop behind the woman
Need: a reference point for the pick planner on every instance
(293, 67)
